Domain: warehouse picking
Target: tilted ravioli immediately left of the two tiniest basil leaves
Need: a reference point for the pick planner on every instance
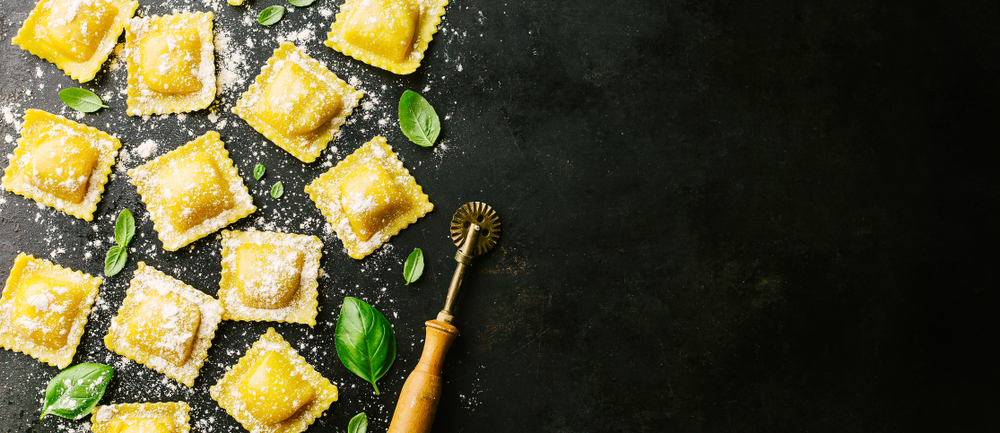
(192, 191)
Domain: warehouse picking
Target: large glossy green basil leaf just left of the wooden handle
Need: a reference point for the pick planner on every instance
(365, 341)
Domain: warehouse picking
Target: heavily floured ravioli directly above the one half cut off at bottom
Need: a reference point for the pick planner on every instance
(165, 325)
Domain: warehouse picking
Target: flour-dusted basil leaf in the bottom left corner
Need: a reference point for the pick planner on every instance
(75, 391)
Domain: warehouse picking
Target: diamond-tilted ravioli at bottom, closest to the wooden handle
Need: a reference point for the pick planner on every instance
(273, 389)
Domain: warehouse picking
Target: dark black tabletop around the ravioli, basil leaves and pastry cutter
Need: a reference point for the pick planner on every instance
(719, 216)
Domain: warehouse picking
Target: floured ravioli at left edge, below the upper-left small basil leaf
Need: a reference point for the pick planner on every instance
(61, 163)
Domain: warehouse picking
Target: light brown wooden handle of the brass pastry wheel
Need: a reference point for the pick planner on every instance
(420, 395)
